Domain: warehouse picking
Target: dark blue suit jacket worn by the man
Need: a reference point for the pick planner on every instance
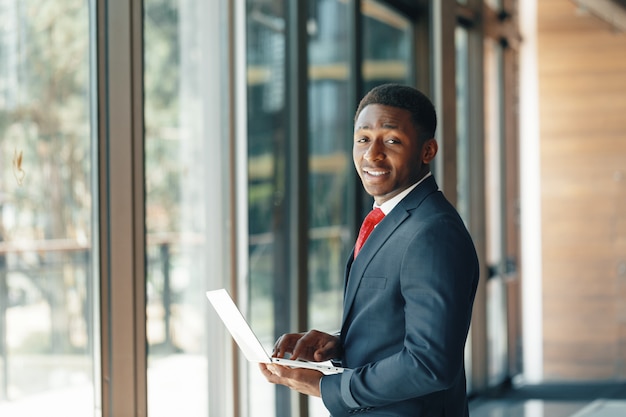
(407, 309)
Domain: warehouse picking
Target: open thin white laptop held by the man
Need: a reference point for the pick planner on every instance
(248, 341)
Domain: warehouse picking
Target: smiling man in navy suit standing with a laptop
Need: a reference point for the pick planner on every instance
(410, 289)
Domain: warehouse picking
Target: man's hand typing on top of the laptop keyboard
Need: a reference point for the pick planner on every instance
(312, 346)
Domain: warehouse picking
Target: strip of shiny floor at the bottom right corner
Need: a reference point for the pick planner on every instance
(554, 400)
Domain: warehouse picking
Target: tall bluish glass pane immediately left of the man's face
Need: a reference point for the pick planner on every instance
(330, 167)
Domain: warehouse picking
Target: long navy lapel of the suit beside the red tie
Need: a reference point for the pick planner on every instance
(355, 268)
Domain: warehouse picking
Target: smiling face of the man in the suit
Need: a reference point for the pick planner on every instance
(386, 151)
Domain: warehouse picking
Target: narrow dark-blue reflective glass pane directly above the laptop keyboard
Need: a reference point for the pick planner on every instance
(267, 198)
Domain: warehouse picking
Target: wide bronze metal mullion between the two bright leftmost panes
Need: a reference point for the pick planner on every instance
(121, 191)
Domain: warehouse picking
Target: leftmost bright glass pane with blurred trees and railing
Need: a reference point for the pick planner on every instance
(47, 280)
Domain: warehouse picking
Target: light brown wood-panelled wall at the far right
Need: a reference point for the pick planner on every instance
(582, 105)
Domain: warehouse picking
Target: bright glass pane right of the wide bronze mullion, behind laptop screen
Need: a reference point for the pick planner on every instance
(187, 213)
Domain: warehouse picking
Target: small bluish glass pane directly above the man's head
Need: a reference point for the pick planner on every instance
(387, 46)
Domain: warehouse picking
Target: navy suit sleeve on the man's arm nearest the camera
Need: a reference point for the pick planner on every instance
(438, 275)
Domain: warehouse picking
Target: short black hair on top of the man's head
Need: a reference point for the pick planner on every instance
(408, 98)
